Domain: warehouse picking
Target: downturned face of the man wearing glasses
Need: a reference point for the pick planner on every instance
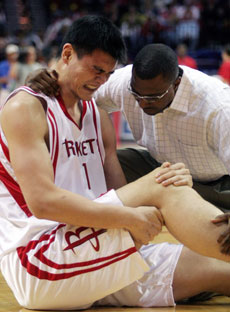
(153, 95)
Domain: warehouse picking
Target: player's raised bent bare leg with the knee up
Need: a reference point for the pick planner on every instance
(186, 214)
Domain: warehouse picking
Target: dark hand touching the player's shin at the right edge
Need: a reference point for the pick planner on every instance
(224, 238)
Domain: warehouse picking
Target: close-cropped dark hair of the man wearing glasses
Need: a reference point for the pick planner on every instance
(154, 60)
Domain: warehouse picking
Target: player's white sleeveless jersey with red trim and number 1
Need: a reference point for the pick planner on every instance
(77, 156)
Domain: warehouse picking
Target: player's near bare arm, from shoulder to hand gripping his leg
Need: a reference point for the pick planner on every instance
(29, 155)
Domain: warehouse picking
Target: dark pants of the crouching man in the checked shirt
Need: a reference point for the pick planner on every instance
(138, 162)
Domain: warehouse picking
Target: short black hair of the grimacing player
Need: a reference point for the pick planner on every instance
(92, 32)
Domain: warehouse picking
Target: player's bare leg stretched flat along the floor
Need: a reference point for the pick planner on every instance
(195, 274)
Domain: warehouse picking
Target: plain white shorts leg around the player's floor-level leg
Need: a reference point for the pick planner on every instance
(154, 289)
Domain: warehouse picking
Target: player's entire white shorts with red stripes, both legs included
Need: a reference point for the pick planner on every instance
(69, 268)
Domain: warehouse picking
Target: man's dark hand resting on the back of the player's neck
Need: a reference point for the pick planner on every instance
(44, 80)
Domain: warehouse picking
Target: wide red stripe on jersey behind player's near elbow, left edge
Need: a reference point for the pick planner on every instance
(14, 189)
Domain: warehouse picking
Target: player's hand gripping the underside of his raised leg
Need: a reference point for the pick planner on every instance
(147, 225)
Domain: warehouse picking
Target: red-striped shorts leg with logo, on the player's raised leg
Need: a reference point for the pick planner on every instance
(72, 267)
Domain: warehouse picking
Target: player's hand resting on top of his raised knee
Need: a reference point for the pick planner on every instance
(176, 174)
